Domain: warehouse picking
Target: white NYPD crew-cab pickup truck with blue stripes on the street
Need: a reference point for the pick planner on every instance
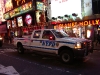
(55, 42)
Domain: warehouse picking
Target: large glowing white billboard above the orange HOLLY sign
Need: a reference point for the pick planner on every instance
(62, 7)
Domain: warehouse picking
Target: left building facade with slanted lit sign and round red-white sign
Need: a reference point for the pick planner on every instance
(23, 16)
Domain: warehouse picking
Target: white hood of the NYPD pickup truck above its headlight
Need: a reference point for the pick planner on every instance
(73, 39)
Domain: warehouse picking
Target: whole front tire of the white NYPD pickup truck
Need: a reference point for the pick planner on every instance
(66, 56)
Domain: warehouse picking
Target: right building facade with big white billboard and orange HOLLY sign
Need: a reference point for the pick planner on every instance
(74, 17)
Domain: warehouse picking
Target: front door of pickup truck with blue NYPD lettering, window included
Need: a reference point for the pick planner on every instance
(48, 42)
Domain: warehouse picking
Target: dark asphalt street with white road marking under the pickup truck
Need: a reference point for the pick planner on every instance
(31, 63)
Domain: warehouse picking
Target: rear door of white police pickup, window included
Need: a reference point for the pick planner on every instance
(35, 40)
